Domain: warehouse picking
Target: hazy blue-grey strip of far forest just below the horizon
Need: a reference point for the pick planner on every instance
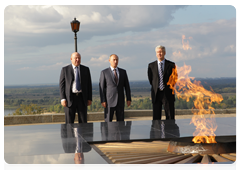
(218, 84)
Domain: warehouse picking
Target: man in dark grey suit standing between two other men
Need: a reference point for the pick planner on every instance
(113, 81)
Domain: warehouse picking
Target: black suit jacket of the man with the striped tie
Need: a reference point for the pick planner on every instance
(153, 78)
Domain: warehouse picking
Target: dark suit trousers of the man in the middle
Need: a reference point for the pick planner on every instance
(109, 112)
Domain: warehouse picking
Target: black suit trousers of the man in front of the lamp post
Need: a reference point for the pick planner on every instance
(77, 106)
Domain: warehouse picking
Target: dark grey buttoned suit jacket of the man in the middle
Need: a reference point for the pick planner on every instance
(111, 92)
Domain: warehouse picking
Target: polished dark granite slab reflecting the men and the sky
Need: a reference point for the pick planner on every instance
(55, 146)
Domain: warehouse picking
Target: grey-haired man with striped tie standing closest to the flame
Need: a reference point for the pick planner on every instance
(158, 75)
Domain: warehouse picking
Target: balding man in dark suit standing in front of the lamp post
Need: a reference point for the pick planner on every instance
(75, 89)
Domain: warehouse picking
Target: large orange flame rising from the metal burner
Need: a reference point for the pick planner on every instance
(186, 89)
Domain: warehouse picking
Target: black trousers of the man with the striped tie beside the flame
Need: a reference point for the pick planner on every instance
(161, 99)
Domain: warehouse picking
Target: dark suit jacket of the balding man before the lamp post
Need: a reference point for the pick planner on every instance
(66, 80)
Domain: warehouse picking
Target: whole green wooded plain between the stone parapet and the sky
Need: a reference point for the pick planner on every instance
(47, 97)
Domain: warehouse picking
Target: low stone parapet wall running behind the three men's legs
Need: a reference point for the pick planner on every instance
(95, 116)
